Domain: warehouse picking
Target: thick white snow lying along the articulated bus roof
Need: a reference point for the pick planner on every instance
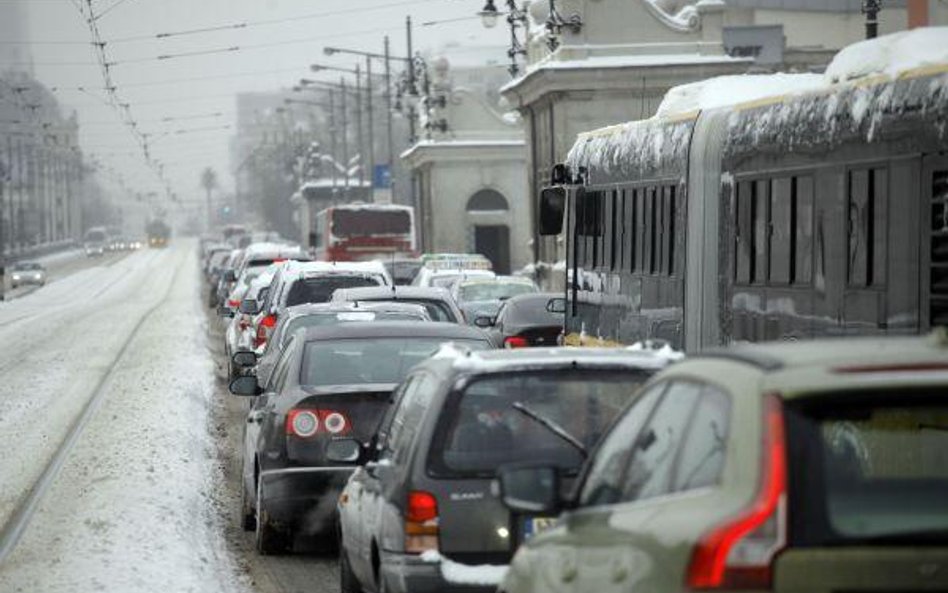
(889, 56)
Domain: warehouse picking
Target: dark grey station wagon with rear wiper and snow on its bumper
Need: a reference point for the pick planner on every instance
(421, 516)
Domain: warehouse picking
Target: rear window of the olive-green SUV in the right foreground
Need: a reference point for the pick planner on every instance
(869, 470)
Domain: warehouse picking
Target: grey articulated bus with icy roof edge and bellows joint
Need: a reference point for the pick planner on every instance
(819, 212)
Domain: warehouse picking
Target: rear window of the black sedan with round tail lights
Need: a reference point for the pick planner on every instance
(369, 360)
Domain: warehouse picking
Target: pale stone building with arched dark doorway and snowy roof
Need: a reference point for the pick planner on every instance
(467, 171)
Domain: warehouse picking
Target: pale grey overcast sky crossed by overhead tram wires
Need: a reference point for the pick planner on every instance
(281, 39)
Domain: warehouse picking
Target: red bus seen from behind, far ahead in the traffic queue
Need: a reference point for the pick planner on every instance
(359, 232)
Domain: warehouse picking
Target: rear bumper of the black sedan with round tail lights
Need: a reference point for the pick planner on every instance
(304, 497)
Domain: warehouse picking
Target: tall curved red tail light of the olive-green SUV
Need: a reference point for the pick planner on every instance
(739, 553)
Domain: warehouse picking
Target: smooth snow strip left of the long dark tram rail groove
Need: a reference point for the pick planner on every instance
(55, 346)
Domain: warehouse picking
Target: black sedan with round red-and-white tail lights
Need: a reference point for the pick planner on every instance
(330, 382)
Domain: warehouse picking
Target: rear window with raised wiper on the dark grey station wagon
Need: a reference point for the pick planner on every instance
(493, 420)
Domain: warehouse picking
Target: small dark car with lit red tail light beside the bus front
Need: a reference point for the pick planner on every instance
(527, 320)
